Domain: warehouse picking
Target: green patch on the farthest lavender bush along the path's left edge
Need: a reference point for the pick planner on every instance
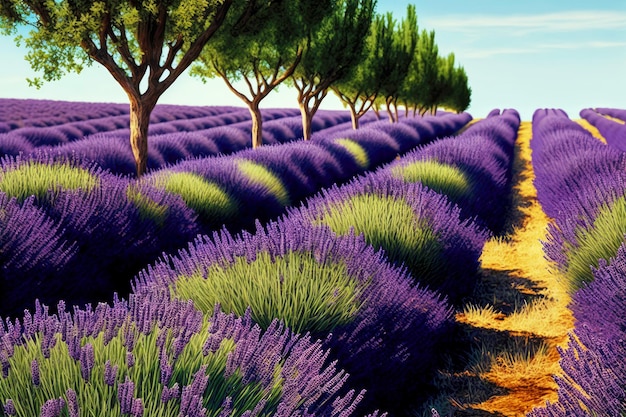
(443, 178)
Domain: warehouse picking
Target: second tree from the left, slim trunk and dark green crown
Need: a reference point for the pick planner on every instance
(262, 55)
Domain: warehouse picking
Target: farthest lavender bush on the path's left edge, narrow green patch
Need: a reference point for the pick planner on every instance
(473, 169)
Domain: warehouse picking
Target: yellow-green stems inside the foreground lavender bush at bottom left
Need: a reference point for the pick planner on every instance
(59, 372)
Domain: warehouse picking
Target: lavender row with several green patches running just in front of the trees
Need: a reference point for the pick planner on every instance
(78, 234)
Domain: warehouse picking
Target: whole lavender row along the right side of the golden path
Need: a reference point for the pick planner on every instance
(581, 184)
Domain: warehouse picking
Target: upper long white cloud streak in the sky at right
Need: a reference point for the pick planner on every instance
(570, 21)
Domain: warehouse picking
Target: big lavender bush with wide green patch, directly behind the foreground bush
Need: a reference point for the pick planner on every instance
(382, 328)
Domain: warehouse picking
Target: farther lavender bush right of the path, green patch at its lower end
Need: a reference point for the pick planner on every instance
(581, 182)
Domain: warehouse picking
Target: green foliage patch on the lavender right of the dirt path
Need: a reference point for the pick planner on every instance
(600, 241)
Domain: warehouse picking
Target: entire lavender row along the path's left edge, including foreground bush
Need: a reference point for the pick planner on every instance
(157, 354)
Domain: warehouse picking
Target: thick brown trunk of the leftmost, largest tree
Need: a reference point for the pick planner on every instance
(140, 111)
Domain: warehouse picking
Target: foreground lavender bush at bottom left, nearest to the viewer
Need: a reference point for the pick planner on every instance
(150, 356)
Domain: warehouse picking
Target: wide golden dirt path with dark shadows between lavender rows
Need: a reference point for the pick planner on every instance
(516, 319)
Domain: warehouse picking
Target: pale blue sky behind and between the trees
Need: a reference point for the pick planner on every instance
(524, 54)
